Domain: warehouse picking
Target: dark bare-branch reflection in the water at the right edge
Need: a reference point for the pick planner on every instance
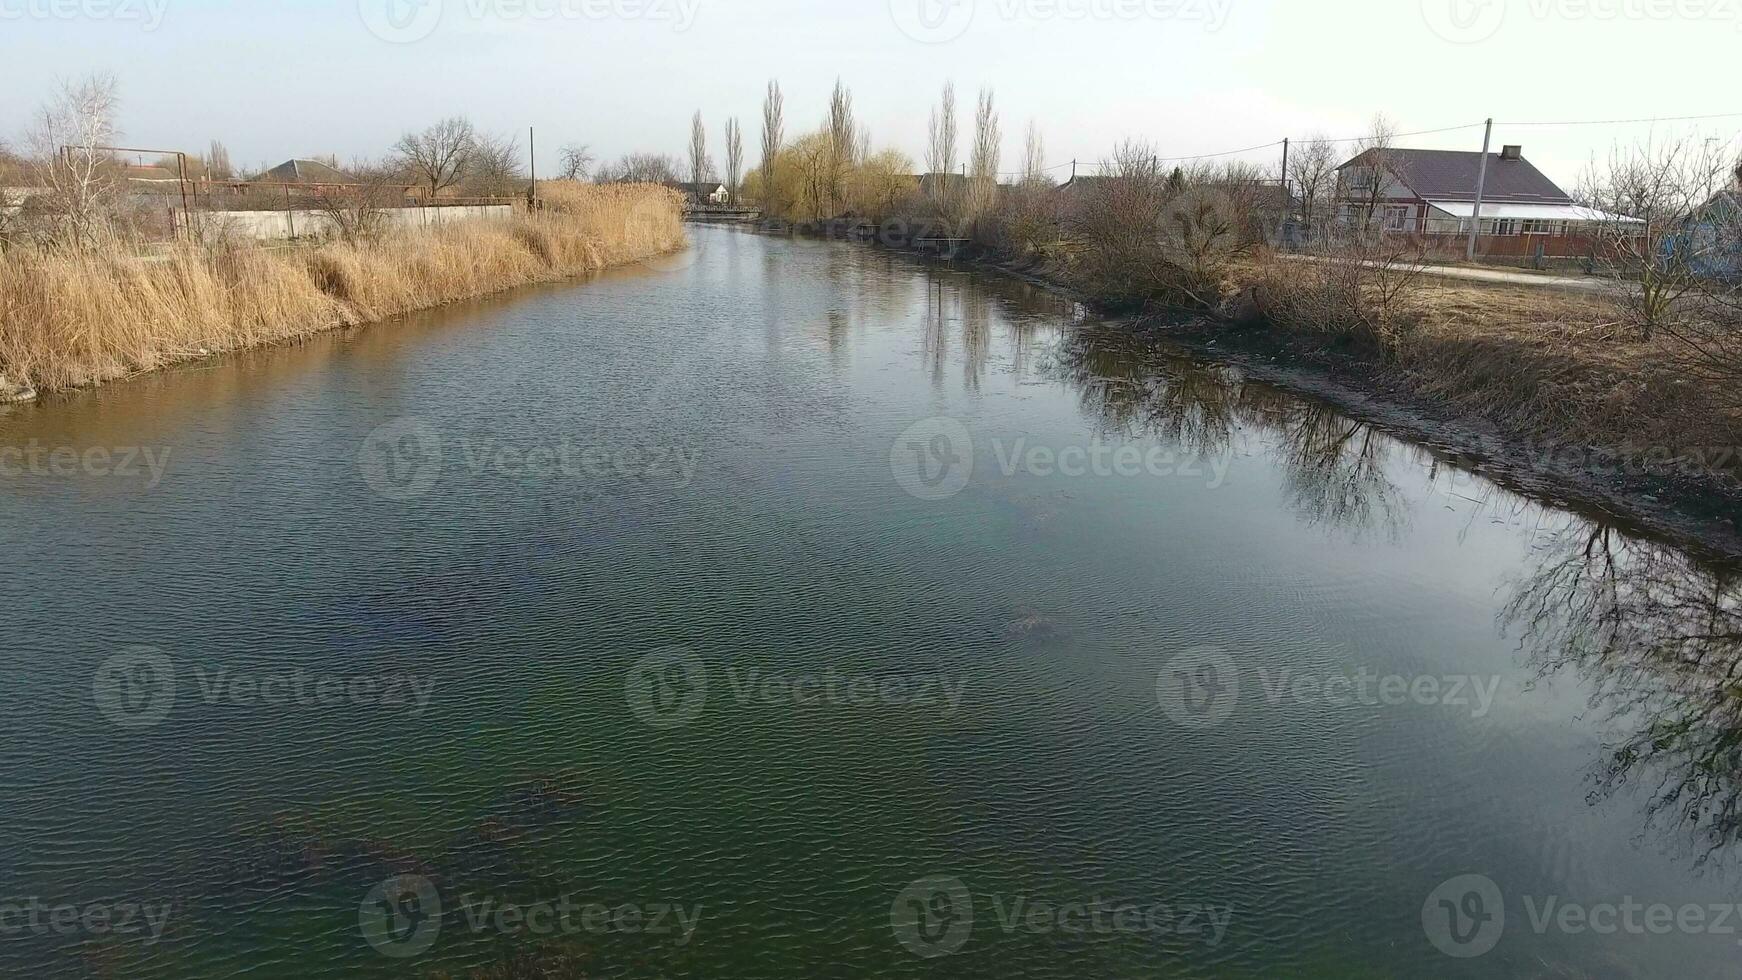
(1658, 636)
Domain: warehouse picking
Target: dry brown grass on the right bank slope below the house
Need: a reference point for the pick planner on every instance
(1556, 372)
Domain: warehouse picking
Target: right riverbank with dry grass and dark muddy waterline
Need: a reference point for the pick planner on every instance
(1539, 391)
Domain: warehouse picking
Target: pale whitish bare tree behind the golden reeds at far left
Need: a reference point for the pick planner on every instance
(69, 140)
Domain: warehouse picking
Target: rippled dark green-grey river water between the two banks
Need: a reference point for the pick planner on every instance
(795, 610)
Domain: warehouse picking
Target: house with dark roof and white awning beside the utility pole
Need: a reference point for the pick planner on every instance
(1433, 194)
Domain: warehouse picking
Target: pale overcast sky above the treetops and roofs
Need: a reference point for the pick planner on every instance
(280, 79)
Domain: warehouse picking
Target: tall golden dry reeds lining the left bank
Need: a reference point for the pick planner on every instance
(84, 318)
